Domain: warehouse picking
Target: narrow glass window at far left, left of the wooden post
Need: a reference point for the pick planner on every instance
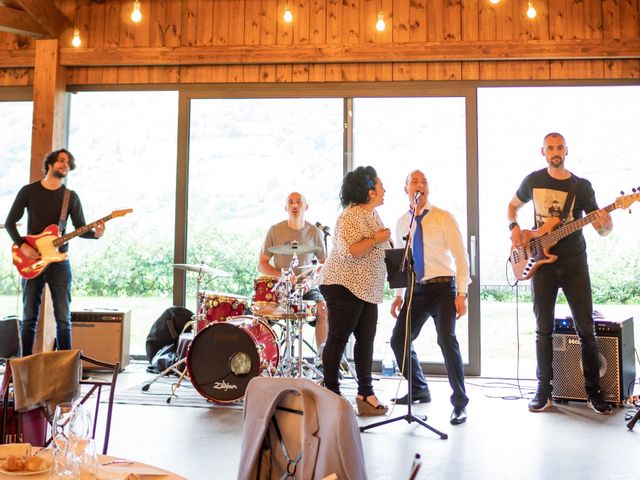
(15, 145)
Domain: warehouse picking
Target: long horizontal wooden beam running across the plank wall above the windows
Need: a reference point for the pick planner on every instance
(456, 51)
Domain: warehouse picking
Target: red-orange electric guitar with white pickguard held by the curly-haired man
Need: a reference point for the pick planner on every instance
(47, 243)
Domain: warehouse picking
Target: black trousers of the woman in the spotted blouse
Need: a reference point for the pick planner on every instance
(348, 315)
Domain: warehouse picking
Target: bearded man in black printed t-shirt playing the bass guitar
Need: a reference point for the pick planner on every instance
(558, 197)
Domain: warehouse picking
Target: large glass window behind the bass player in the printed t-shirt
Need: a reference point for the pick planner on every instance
(600, 126)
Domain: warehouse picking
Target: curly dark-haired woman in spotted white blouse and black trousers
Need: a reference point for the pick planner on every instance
(352, 282)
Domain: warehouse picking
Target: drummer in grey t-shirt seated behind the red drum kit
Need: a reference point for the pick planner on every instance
(285, 232)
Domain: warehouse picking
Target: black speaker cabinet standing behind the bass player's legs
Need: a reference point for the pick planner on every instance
(617, 367)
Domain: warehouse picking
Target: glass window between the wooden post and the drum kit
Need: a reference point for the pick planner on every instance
(125, 149)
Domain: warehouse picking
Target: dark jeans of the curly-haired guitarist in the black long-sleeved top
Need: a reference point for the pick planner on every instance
(58, 277)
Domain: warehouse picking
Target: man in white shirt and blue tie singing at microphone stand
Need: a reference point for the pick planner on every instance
(441, 265)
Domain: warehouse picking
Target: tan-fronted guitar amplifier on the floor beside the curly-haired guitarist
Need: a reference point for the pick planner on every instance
(102, 334)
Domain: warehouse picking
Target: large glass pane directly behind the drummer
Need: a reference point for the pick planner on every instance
(245, 157)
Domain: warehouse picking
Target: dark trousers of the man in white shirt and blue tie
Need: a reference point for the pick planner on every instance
(433, 300)
